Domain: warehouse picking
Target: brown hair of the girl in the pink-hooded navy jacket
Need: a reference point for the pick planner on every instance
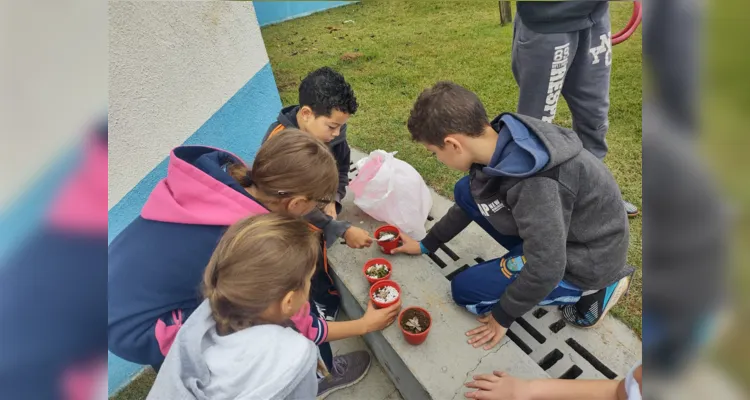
(291, 163)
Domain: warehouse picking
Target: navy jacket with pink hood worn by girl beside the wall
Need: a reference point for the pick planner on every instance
(156, 263)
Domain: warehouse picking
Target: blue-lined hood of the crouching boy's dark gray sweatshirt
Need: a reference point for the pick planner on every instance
(526, 146)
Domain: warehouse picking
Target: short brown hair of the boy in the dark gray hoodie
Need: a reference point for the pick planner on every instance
(444, 109)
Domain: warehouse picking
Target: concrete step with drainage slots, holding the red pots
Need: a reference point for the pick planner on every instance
(538, 345)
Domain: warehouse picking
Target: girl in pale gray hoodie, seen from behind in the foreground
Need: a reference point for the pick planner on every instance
(238, 344)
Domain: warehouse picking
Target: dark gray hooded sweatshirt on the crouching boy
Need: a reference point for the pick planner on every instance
(562, 201)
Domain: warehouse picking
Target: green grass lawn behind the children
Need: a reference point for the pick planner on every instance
(408, 46)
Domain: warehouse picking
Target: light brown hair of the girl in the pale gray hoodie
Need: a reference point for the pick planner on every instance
(256, 263)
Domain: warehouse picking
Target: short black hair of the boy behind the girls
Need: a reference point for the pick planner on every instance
(324, 90)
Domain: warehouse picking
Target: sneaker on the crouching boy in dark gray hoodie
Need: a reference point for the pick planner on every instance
(591, 308)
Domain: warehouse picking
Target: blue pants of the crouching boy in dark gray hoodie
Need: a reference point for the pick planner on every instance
(480, 287)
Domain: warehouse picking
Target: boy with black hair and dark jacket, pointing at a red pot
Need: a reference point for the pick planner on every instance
(326, 103)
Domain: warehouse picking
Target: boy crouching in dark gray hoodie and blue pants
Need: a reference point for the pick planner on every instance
(533, 188)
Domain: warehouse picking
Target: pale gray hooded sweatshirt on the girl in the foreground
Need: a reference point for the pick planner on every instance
(265, 362)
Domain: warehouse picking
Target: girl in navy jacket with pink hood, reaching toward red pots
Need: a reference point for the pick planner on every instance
(156, 263)
